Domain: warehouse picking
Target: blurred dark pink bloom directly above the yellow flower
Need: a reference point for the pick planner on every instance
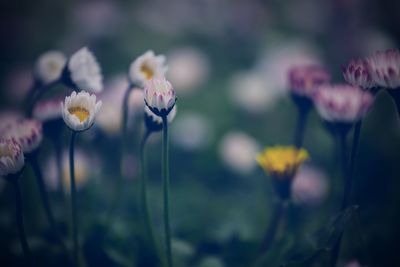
(305, 79)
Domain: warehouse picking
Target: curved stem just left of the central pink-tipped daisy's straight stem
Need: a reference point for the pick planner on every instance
(143, 194)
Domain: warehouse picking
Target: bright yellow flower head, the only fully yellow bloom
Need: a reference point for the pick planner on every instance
(282, 161)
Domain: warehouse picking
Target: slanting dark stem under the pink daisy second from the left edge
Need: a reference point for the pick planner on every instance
(44, 196)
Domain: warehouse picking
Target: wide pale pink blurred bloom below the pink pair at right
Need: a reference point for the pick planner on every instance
(342, 103)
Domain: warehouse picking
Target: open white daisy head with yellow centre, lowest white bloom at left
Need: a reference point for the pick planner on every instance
(79, 110)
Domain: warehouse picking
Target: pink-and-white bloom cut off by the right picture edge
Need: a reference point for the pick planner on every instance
(384, 67)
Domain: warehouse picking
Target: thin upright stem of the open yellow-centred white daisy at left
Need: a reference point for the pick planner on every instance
(73, 200)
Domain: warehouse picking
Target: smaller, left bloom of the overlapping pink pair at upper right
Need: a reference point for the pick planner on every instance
(356, 73)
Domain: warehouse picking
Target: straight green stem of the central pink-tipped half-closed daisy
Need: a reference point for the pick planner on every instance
(165, 166)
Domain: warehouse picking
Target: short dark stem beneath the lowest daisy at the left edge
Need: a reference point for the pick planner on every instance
(20, 219)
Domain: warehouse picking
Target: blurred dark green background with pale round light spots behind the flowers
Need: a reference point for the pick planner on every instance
(228, 61)
